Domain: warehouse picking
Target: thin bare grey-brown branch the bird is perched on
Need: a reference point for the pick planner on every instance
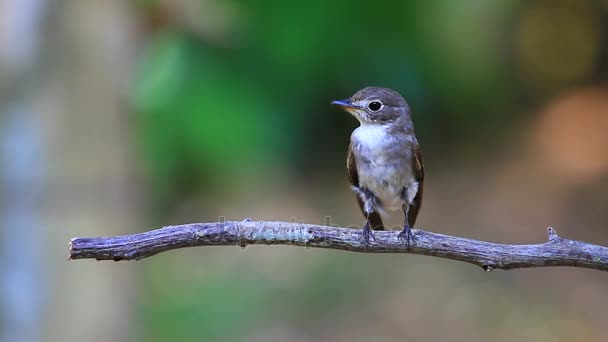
(556, 251)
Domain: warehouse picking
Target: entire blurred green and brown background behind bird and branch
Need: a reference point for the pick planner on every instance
(120, 116)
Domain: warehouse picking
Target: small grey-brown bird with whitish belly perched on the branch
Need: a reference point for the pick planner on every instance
(384, 161)
